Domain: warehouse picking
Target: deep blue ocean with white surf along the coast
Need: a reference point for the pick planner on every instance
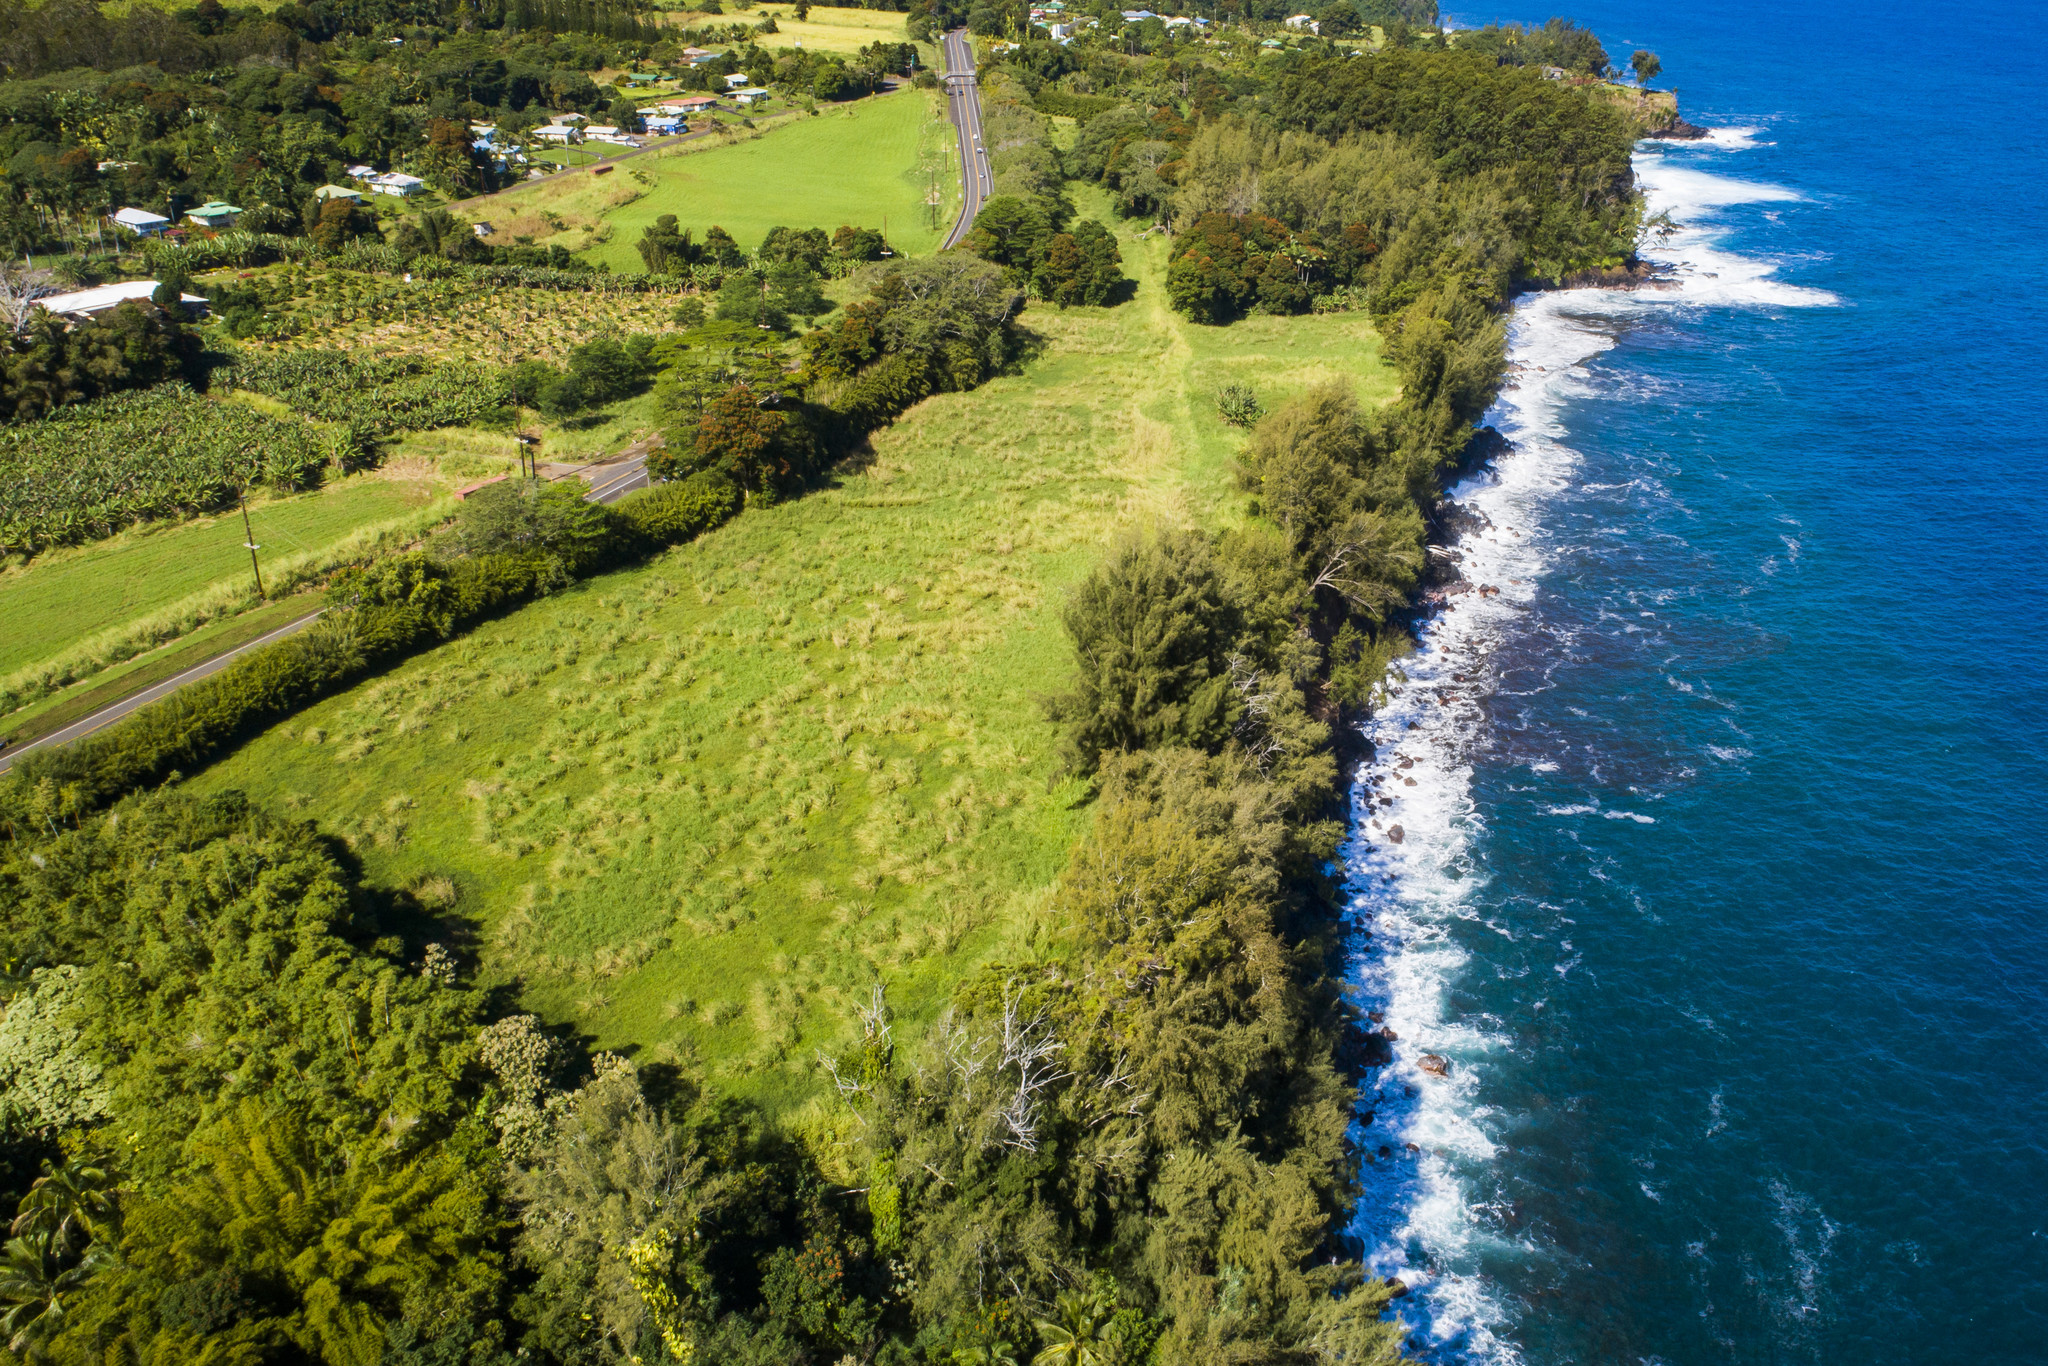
(1723, 873)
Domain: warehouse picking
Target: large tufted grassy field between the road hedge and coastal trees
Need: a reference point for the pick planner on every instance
(699, 808)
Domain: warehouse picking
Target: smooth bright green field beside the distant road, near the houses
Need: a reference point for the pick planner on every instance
(863, 163)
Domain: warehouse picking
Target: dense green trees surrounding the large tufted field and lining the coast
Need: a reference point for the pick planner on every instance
(251, 1105)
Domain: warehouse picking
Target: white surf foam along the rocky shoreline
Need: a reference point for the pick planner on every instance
(1410, 853)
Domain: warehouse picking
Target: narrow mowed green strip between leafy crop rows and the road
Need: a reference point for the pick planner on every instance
(67, 597)
